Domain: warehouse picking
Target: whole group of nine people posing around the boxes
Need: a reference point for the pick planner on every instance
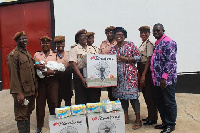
(155, 74)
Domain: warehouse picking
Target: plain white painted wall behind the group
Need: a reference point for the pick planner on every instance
(180, 18)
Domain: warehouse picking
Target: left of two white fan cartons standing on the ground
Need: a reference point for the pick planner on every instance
(73, 124)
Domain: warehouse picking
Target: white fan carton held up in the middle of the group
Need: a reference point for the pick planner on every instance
(100, 70)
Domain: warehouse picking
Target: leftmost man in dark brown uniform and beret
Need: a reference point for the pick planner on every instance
(22, 82)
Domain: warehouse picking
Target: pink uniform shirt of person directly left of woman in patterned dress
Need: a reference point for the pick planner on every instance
(105, 46)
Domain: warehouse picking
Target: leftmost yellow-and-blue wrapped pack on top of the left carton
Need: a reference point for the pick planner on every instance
(63, 112)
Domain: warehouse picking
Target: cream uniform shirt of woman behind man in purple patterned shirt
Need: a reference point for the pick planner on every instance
(146, 50)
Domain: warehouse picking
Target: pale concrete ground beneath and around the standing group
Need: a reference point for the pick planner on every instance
(188, 119)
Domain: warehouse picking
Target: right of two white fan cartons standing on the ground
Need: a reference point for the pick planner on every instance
(106, 122)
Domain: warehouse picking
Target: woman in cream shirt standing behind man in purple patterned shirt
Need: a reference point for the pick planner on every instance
(146, 50)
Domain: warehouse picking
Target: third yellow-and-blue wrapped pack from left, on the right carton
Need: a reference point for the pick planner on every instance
(94, 107)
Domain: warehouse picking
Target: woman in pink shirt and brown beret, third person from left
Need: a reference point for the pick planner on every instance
(64, 78)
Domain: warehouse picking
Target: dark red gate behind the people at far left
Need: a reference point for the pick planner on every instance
(34, 18)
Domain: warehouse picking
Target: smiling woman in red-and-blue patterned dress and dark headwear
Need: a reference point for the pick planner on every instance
(127, 88)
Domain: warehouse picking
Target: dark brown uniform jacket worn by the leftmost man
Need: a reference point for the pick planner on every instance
(21, 72)
